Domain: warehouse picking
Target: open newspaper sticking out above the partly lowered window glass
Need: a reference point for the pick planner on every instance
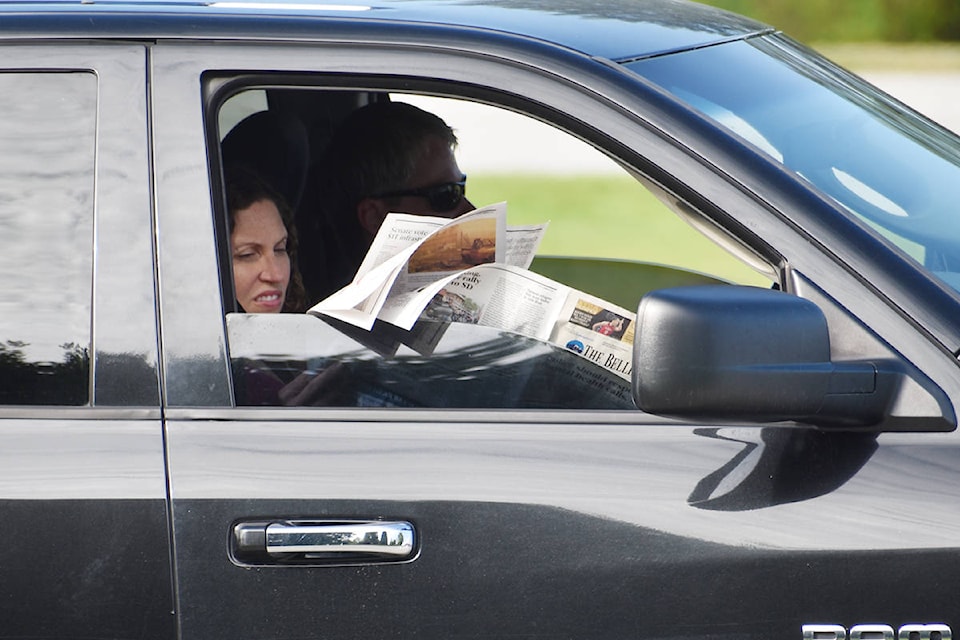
(474, 269)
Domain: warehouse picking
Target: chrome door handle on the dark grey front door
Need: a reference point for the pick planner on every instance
(324, 541)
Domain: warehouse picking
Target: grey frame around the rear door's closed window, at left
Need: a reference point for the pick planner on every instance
(123, 347)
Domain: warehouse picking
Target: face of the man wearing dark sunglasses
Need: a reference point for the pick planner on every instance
(437, 166)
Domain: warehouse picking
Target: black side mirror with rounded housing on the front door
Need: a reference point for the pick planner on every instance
(732, 353)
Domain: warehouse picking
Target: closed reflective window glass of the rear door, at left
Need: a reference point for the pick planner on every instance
(46, 216)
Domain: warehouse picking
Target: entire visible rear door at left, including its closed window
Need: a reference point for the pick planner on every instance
(82, 478)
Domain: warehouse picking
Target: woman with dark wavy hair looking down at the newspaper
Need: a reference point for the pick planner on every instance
(263, 247)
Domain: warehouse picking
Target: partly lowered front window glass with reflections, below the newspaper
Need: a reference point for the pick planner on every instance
(470, 366)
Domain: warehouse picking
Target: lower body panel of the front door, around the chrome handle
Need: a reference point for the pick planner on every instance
(563, 530)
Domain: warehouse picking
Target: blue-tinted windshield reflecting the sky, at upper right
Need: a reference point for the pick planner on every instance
(891, 168)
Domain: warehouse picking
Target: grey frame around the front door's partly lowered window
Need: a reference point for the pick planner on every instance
(634, 116)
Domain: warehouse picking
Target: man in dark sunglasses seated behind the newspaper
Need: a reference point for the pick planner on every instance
(385, 157)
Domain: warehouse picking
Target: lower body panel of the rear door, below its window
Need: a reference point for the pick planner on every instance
(85, 524)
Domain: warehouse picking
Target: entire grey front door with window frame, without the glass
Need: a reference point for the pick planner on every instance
(555, 524)
